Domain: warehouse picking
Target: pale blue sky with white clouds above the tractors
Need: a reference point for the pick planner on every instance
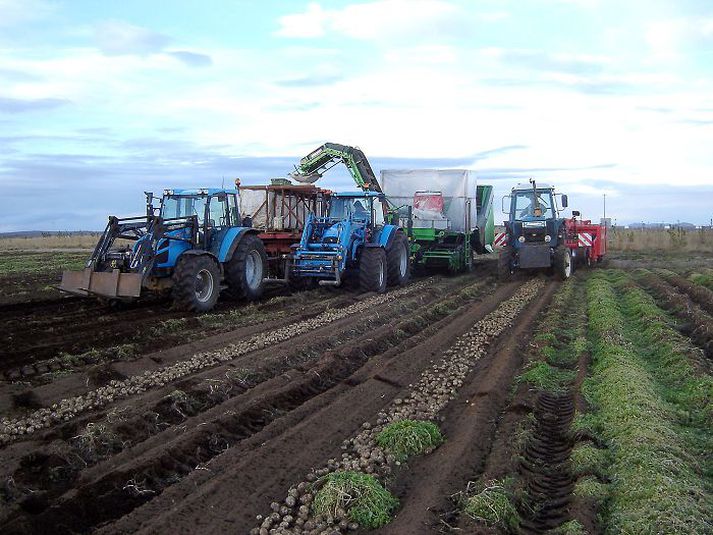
(101, 101)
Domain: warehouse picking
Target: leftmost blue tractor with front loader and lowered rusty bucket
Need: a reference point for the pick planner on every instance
(190, 244)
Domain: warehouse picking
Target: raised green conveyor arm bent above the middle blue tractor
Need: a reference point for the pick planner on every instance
(314, 165)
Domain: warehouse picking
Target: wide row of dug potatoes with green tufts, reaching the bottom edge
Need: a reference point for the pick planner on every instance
(366, 452)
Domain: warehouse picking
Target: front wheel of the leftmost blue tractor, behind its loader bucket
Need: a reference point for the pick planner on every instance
(196, 283)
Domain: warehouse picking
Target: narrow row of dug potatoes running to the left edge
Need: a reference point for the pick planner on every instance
(69, 408)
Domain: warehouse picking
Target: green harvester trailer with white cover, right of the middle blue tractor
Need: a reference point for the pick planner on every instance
(447, 216)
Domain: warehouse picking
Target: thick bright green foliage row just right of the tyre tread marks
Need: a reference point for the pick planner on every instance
(657, 483)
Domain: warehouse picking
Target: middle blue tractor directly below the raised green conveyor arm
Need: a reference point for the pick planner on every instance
(355, 238)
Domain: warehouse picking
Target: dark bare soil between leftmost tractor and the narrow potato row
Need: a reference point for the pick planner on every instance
(37, 335)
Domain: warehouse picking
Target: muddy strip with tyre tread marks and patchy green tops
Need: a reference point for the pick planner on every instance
(533, 492)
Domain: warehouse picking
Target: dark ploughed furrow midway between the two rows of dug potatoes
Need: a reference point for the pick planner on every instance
(235, 420)
